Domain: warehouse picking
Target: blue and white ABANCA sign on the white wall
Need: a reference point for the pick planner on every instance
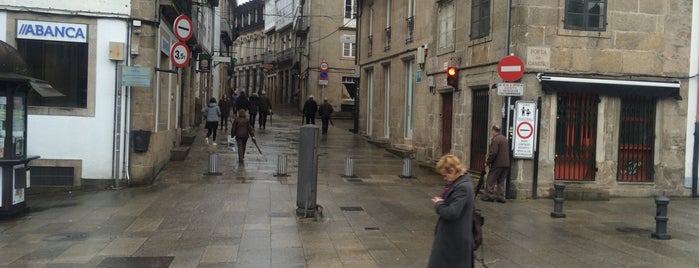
(53, 31)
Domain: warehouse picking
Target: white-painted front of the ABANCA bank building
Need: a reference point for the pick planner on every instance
(68, 44)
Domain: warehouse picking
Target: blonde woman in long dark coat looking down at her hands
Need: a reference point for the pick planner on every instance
(453, 235)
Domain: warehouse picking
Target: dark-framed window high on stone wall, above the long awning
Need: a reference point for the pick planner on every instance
(586, 15)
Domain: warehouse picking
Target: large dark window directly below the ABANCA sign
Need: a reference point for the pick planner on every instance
(63, 65)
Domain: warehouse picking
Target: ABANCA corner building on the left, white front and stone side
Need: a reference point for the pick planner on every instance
(126, 103)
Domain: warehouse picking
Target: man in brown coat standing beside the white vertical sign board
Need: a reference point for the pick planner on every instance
(498, 162)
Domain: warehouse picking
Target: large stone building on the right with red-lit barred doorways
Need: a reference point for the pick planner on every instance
(609, 79)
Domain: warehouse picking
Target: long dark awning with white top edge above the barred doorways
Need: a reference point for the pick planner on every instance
(550, 84)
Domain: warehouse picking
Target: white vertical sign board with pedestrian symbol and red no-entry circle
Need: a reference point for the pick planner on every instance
(525, 129)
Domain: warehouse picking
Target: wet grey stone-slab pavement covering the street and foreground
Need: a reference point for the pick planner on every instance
(246, 217)
